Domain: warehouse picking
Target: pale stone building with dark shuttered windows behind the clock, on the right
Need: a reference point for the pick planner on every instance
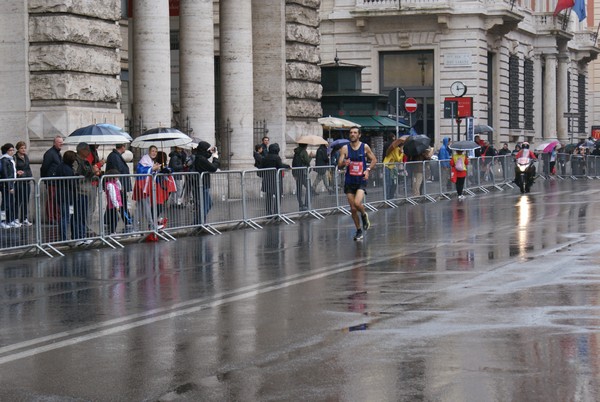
(523, 67)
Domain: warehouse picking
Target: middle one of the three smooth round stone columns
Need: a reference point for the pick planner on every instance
(196, 68)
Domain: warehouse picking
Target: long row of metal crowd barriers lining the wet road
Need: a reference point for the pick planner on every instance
(69, 212)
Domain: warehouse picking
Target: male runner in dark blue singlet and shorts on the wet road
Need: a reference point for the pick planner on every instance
(353, 157)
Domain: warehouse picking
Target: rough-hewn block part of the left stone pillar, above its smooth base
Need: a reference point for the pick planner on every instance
(73, 51)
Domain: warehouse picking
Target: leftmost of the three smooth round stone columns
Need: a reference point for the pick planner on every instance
(151, 63)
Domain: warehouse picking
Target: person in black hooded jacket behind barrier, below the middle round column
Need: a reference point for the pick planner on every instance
(206, 161)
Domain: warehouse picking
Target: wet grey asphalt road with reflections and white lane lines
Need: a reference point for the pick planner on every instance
(494, 298)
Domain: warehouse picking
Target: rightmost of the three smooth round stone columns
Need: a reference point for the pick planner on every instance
(237, 88)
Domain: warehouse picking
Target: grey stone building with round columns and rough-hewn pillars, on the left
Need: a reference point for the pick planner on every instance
(211, 68)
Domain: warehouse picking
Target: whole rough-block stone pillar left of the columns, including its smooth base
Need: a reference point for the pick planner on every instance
(74, 67)
